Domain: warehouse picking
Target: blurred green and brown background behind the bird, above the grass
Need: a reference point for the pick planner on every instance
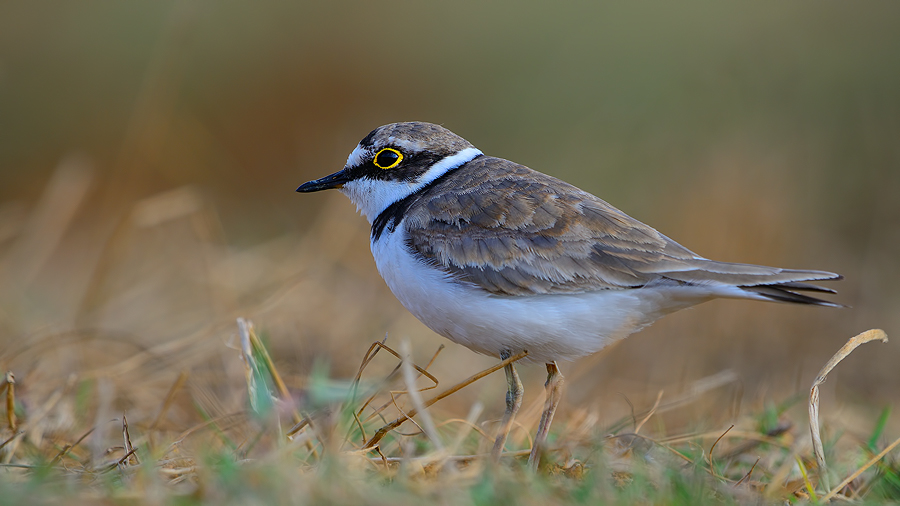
(763, 132)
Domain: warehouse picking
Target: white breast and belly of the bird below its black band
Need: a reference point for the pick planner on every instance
(549, 327)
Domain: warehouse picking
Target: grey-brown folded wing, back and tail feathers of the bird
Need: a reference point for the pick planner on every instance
(515, 231)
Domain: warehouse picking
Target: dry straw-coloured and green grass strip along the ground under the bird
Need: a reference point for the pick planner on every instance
(232, 444)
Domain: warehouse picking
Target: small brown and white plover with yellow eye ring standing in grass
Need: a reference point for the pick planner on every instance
(506, 260)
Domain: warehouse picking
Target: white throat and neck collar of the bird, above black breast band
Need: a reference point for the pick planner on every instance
(372, 196)
